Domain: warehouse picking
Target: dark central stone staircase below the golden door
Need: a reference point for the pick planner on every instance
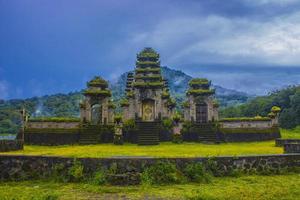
(148, 133)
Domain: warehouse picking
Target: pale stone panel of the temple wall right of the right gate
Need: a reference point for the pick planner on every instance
(246, 124)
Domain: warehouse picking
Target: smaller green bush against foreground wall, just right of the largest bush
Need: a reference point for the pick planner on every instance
(196, 172)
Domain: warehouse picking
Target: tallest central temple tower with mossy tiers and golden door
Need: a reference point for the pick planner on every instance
(147, 93)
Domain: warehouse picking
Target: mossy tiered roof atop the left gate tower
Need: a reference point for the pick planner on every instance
(97, 87)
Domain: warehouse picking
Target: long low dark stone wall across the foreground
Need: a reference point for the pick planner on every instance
(15, 167)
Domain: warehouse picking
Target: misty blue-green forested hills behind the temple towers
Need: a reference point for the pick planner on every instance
(68, 104)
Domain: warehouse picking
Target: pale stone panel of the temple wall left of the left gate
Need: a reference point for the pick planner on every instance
(66, 125)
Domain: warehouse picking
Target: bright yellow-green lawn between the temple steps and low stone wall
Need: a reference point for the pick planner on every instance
(165, 149)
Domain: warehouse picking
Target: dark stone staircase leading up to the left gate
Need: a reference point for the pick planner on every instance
(89, 135)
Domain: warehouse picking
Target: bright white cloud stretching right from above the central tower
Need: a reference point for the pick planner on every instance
(217, 39)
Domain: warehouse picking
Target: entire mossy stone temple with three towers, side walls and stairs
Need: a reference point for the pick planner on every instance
(147, 114)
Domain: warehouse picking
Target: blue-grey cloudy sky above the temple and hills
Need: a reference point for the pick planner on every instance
(55, 46)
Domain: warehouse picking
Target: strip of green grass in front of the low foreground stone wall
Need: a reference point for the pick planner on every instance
(245, 187)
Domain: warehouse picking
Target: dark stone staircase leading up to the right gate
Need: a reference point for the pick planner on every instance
(206, 133)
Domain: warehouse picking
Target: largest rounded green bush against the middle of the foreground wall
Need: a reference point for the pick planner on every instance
(162, 173)
